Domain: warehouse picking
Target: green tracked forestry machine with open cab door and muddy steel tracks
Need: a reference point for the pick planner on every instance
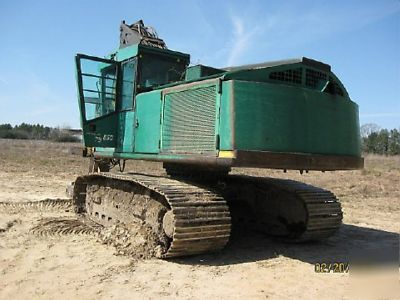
(145, 102)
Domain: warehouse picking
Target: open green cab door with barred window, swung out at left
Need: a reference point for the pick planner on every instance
(98, 93)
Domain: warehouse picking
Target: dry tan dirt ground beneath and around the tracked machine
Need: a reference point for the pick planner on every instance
(253, 266)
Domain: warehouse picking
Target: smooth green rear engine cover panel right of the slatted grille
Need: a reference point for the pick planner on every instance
(272, 117)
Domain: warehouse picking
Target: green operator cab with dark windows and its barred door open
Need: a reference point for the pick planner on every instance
(108, 86)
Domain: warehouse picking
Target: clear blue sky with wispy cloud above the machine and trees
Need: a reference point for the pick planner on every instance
(360, 39)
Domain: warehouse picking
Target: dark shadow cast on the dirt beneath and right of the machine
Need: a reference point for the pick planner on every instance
(351, 244)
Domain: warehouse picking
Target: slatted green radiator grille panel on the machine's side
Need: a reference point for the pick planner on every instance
(189, 121)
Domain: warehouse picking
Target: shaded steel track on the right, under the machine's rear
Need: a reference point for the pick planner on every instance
(322, 213)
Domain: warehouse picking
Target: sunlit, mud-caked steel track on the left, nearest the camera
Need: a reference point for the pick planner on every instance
(202, 221)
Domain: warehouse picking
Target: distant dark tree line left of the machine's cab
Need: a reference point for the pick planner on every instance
(36, 132)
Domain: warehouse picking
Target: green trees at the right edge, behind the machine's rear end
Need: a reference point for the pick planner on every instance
(386, 142)
